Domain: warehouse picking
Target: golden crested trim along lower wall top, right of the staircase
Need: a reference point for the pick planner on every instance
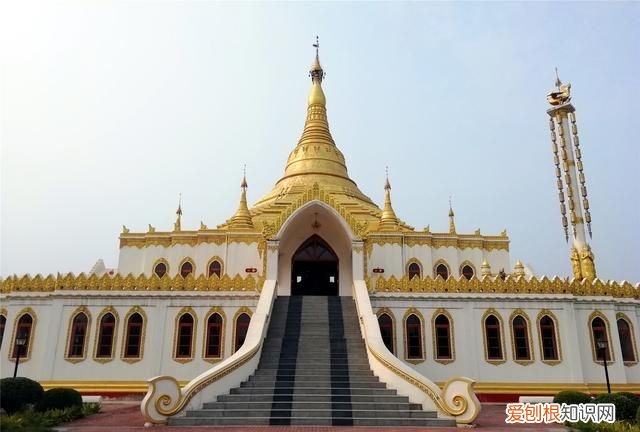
(510, 285)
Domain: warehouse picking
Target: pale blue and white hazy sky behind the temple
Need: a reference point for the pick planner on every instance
(110, 110)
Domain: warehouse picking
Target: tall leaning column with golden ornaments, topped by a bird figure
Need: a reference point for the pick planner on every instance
(566, 153)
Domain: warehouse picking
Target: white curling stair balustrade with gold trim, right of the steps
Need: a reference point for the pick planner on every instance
(457, 399)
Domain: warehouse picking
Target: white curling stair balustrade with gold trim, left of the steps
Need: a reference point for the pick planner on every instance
(164, 396)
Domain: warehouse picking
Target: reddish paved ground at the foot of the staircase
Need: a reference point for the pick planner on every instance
(120, 416)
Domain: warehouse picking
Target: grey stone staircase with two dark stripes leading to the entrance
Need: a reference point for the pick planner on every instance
(313, 371)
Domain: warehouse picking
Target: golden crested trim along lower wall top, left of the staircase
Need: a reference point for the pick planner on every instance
(142, 282)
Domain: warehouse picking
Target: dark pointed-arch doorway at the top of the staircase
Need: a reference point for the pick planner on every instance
(314, 269)
